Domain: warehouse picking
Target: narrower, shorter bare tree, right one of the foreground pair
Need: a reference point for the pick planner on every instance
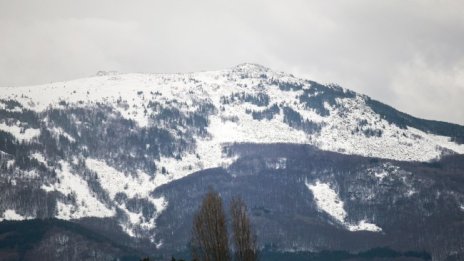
(243, 237)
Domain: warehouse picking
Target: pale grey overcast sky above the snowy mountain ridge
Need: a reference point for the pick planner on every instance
(409, 54)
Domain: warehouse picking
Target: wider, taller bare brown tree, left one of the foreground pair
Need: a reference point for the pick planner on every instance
(209, 235)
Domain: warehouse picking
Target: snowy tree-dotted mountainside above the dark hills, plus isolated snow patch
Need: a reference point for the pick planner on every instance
(102, 145)
